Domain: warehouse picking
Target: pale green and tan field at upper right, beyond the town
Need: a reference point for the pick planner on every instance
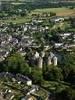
(59, 11)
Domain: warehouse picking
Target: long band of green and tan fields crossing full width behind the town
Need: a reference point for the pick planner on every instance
(59, 12)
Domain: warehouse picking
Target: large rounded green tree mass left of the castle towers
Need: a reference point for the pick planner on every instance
(16, 63)
